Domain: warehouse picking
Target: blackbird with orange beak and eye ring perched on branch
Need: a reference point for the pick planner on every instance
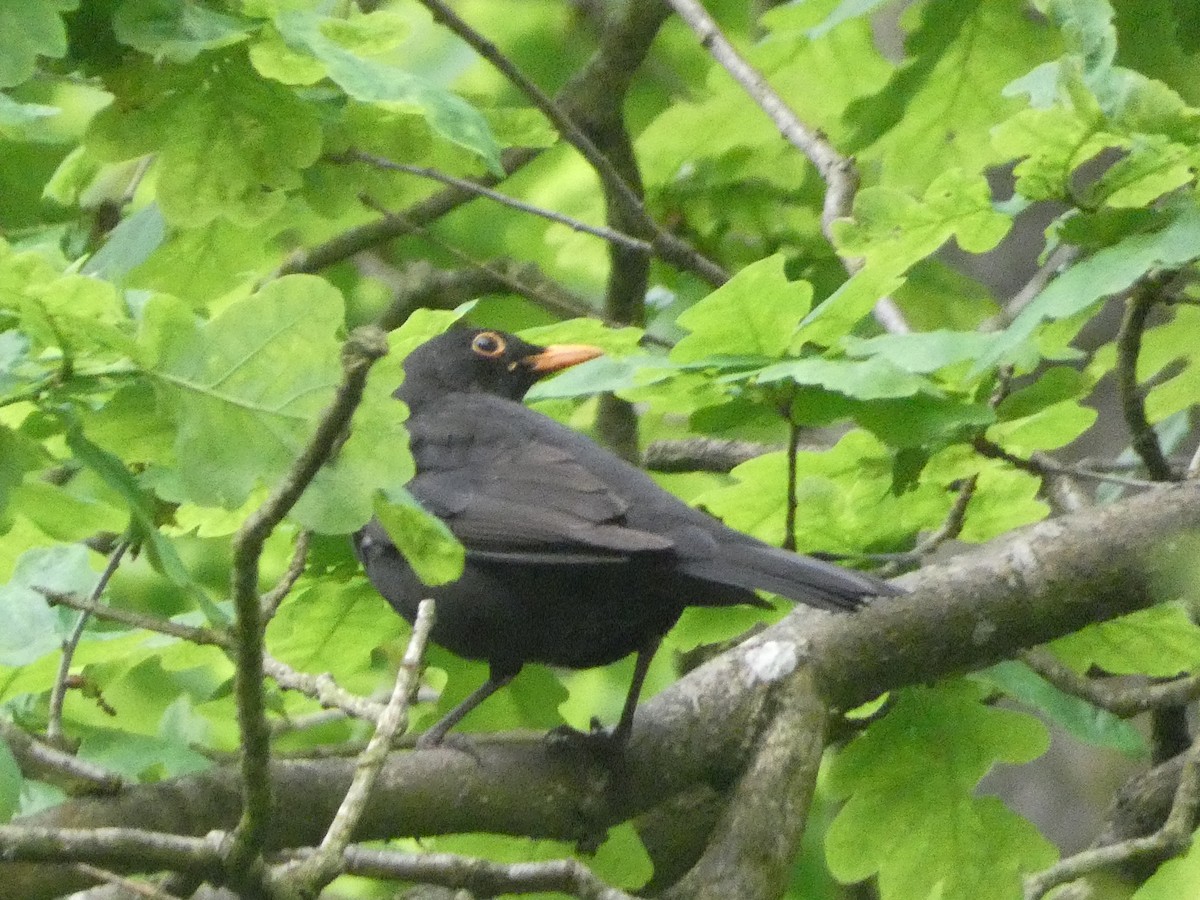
(575, 559)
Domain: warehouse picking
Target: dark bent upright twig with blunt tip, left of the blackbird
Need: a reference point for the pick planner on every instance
(362, 350)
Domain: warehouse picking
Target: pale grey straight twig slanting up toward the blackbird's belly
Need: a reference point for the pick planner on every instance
(327, 863)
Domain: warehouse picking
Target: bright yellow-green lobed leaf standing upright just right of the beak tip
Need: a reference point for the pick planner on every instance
(754, 315)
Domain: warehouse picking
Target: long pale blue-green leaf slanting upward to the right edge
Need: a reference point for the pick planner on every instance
(1106, 273)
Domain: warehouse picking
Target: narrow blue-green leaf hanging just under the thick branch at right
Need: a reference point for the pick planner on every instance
(1077, 717)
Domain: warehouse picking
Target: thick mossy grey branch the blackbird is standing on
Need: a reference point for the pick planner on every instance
(1041, 584)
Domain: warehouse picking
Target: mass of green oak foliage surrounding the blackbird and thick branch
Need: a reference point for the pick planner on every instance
(205, 200)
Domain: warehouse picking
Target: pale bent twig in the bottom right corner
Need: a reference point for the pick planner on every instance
(1172, 839)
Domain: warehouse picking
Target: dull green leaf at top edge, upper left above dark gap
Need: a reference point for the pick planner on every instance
(178, 31)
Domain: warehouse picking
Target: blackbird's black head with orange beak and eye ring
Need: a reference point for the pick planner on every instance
(475, 361)
